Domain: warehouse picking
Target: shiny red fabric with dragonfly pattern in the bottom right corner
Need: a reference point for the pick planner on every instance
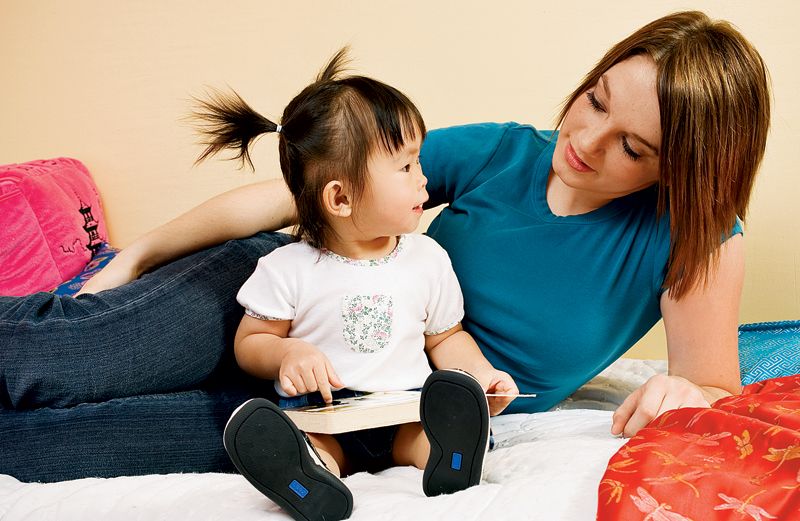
(738, 460)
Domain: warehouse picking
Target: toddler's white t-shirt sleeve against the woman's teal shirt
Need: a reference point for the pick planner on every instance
(446, 305)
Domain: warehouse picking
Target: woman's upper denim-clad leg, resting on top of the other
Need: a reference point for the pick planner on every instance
(170, 330)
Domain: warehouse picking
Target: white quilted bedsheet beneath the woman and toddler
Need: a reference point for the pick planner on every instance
(545, 466)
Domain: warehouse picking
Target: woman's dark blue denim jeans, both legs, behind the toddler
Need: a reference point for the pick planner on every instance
(136, 380)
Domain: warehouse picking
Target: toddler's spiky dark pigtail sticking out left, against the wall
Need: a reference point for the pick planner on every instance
(227, 121)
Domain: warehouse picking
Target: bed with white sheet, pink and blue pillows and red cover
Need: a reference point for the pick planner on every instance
(546, 465)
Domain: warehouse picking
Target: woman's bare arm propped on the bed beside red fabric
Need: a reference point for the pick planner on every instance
(702, 343)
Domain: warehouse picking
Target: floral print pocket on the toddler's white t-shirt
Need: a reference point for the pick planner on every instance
(367, 322)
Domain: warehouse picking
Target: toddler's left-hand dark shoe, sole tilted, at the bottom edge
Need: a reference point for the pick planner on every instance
(278, 460)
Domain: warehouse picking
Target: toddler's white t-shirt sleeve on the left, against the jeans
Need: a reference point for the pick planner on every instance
(270, 292)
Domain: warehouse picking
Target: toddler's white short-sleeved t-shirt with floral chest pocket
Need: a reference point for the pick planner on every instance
(369, 317)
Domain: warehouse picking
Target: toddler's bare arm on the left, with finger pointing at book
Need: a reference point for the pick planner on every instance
(263, 350)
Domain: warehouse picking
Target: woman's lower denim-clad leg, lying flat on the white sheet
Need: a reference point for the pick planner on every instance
(153, 434)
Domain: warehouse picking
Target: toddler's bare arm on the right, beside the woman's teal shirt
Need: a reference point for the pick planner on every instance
(455, 348)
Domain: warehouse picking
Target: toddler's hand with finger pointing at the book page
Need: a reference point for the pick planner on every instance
(305, 369)
